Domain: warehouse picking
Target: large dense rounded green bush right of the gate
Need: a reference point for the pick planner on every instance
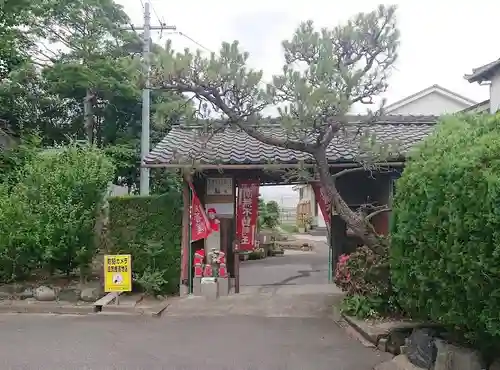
(445, 250)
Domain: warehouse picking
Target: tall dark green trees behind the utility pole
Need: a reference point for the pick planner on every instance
(64, 64)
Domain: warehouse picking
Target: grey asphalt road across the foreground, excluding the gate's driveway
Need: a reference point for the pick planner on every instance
(174, 343)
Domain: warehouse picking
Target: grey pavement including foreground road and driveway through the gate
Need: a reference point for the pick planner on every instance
(264, 328)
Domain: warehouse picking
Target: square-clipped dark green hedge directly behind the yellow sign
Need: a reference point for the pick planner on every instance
(149, 228)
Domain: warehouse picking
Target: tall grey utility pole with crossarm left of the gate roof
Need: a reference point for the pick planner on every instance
(146, 64)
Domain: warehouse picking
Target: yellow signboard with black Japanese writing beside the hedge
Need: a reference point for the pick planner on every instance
(118, 273)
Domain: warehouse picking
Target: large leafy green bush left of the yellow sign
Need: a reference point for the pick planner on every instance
(47, 219)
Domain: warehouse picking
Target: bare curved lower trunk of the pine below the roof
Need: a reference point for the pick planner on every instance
(354, 221)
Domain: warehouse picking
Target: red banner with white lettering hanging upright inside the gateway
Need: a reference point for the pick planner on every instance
(247, 213)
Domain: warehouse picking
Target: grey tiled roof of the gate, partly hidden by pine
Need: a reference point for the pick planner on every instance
(183, 144)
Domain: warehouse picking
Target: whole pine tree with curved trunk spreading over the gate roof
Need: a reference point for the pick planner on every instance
(324, 74)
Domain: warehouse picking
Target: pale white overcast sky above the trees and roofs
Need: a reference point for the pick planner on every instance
(440, 40)
